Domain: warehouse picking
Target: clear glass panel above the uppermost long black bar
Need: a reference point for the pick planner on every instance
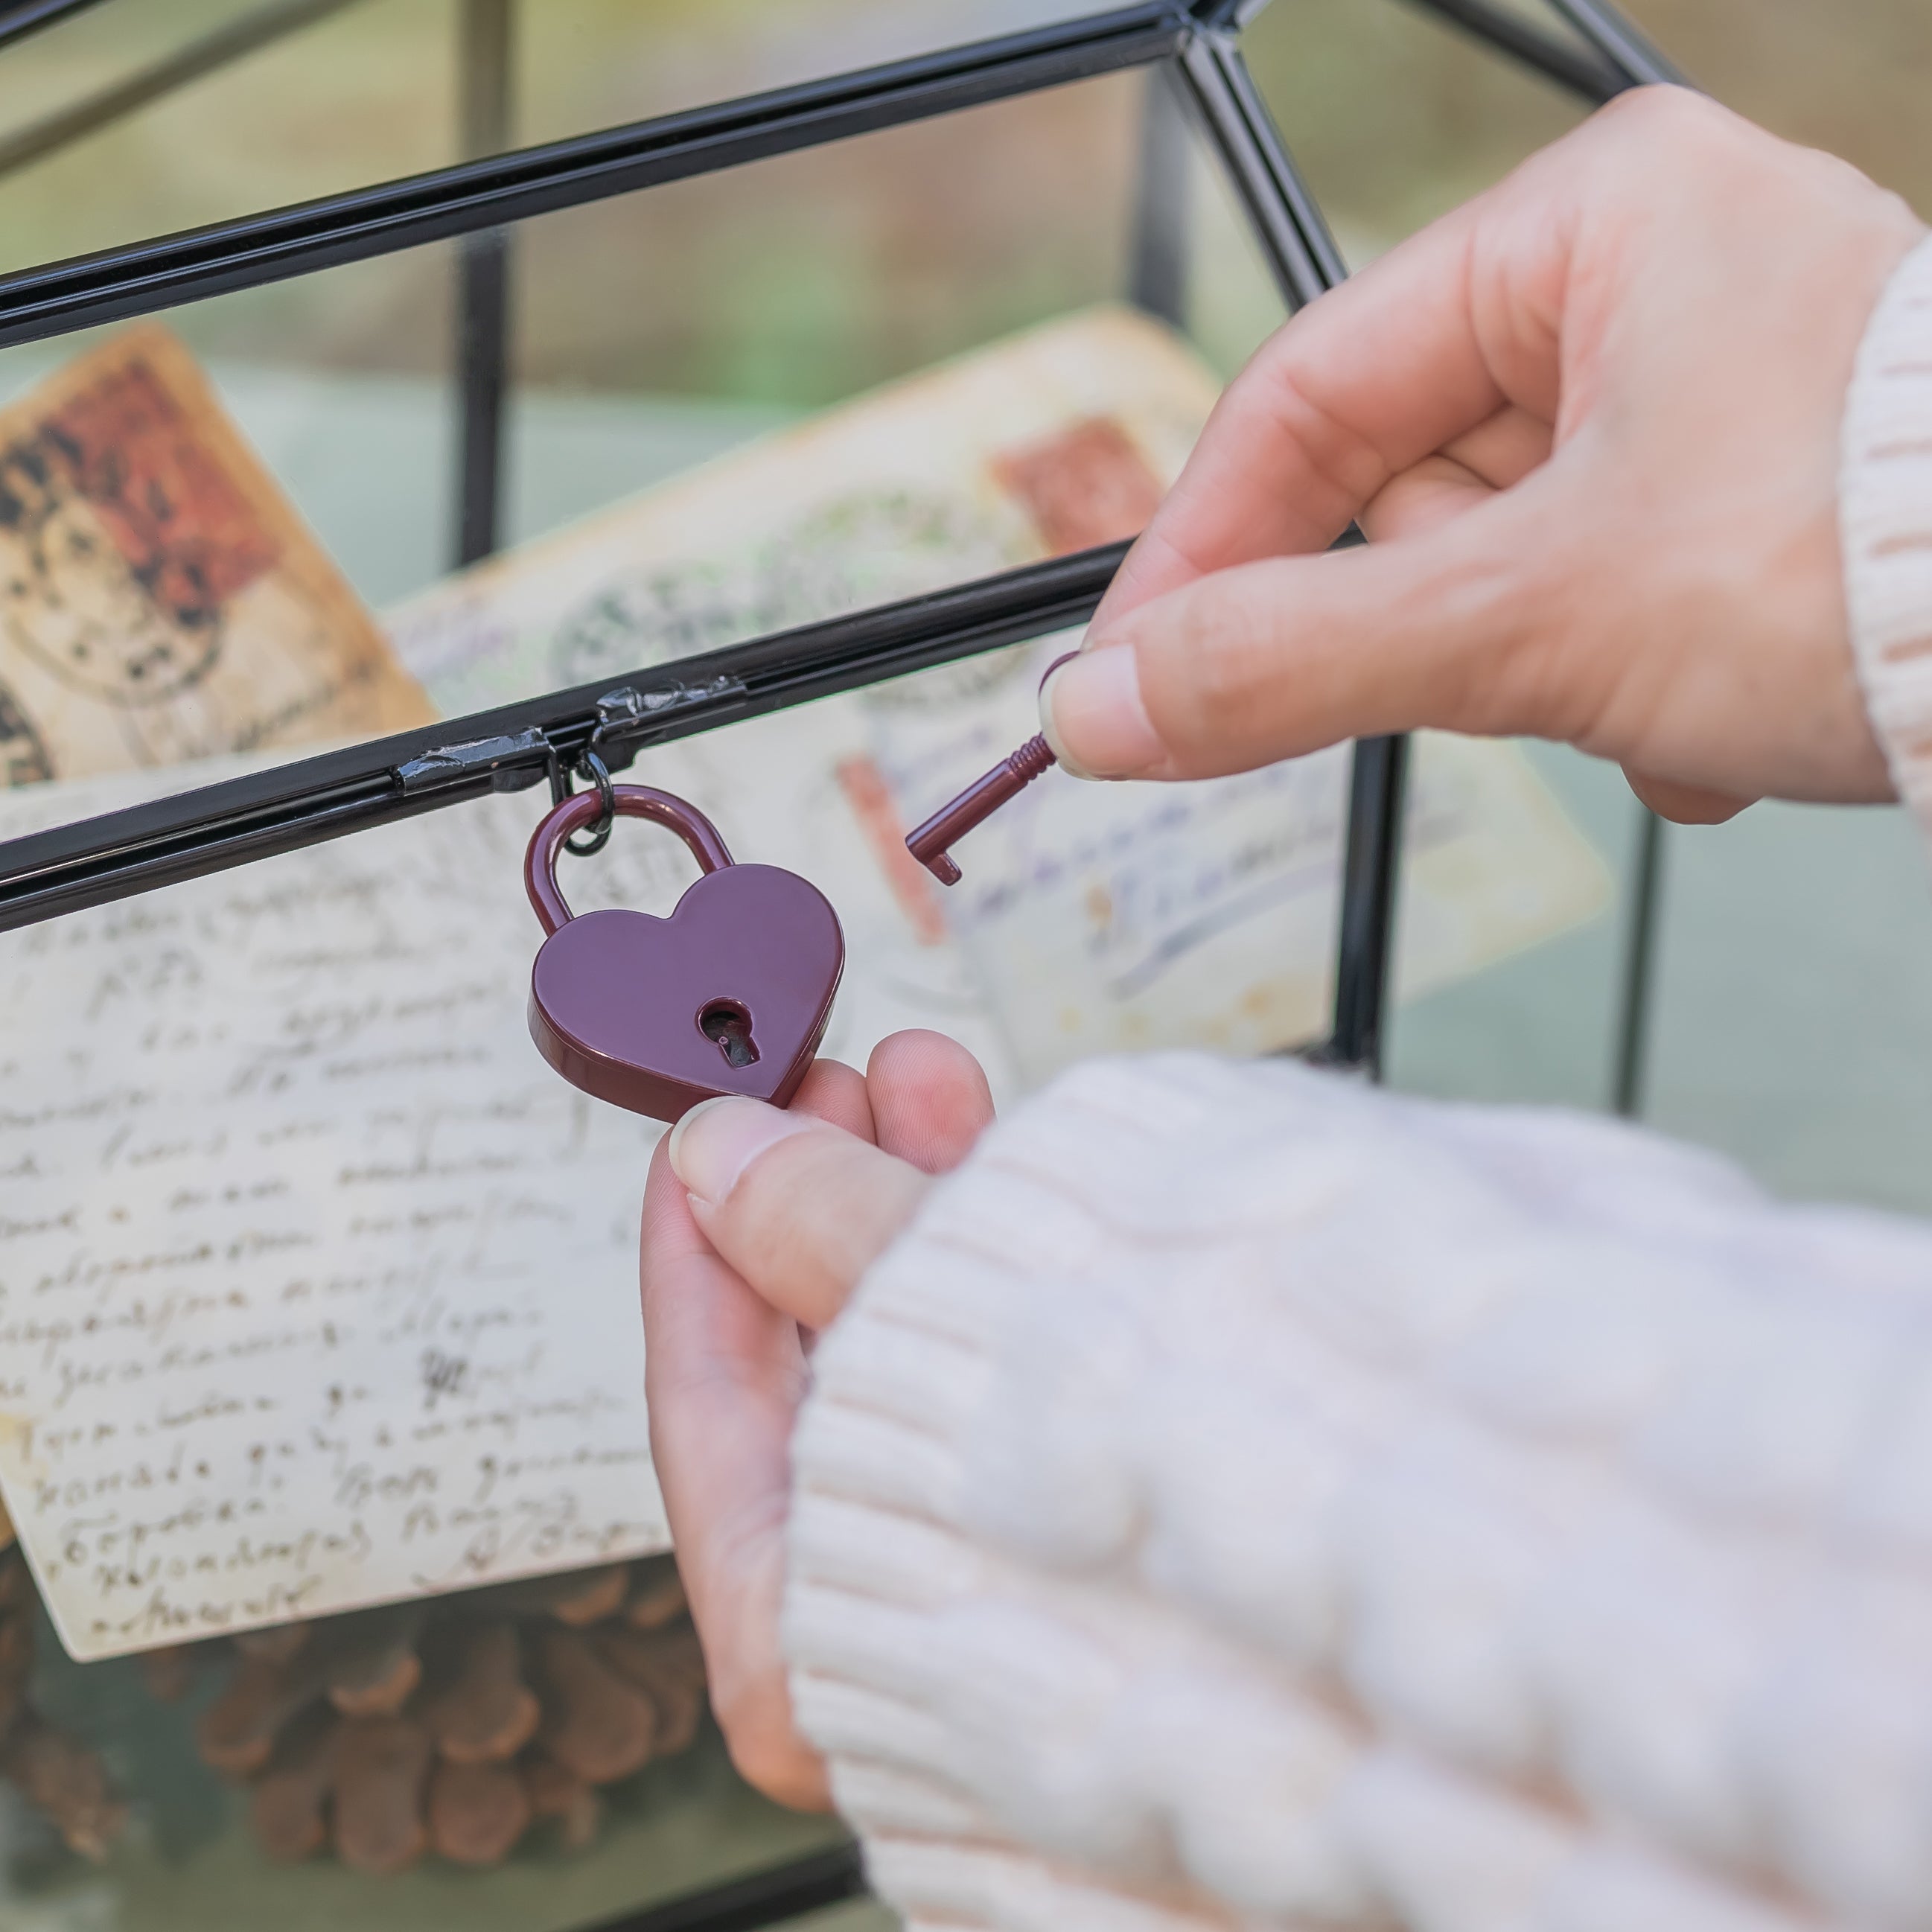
(262, 103)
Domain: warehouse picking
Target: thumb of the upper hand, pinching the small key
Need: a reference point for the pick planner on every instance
(1282, 658)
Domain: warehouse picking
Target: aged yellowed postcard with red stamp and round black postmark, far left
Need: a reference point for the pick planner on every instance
(159, 596)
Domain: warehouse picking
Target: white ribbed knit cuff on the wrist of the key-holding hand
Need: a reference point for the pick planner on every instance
(1887, 526)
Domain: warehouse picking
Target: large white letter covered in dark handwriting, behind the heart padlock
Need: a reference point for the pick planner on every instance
(318, 1288)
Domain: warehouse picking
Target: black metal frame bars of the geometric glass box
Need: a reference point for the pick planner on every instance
(1193, 55)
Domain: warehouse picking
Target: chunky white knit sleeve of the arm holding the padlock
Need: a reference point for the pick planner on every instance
(1253, 1500)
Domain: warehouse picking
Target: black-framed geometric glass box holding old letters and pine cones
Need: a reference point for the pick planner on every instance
(192, 550)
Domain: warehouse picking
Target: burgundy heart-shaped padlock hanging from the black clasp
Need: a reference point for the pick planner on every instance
(727, 996)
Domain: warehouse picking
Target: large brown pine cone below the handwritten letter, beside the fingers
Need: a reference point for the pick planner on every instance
(453, 1726)
